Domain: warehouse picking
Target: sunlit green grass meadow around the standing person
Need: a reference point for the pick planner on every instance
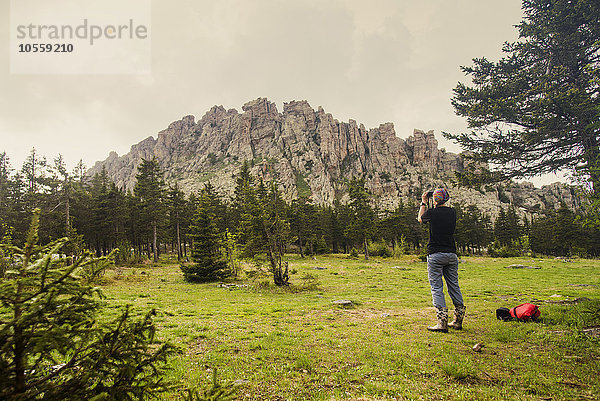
(296, 344)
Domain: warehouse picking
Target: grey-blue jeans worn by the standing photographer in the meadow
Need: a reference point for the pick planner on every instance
(444, 265)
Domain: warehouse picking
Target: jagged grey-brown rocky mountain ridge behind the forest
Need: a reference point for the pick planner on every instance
(310, 153)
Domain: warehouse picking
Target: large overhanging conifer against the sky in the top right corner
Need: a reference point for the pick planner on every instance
(537, 110)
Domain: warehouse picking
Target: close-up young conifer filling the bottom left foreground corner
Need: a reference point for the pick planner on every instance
(51, 347)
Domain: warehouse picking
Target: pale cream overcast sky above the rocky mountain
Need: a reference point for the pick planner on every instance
(372, 61)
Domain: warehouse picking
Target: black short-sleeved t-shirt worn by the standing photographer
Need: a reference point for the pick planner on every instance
(442, 223)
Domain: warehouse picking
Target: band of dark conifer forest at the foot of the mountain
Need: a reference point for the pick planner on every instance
(156, 218)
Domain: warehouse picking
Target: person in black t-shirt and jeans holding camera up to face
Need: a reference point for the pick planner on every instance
(441, 258)
